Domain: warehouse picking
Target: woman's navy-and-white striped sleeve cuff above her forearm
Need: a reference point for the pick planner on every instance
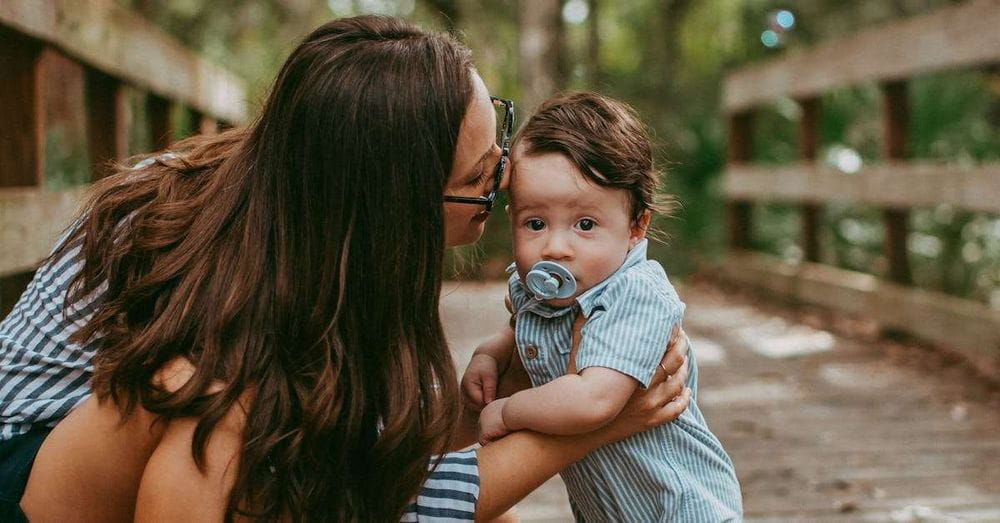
(451, 491)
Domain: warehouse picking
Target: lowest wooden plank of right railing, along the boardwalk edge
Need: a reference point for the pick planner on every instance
(971, 329)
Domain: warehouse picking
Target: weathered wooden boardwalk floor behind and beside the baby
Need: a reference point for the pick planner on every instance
(820, 427)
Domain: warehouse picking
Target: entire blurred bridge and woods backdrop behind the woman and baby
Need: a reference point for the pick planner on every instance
(887, 246)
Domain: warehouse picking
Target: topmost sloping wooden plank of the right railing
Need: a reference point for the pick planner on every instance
(950, 38)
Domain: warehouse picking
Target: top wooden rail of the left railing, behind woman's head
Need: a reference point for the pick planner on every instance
(122, 44)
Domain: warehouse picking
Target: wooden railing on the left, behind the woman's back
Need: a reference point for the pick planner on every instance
(115, 48)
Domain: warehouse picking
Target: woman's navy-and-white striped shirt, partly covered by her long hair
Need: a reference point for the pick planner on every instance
(43, 377)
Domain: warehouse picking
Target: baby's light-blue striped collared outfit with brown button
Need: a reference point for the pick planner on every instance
(675, 472)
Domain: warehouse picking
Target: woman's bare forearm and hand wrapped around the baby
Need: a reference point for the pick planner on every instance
(517, 464)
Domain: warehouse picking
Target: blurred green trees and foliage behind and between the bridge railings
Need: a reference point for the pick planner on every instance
(666, 58)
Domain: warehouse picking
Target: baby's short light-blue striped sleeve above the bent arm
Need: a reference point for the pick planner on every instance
(631, 332)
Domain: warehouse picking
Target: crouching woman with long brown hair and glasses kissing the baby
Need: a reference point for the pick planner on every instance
(261, 309)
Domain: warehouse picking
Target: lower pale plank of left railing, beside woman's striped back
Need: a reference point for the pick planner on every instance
(31, 219)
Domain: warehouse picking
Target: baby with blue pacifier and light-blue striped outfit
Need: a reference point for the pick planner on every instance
(582, 193)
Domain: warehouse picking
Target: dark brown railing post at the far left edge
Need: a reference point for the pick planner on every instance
(22, 153)
